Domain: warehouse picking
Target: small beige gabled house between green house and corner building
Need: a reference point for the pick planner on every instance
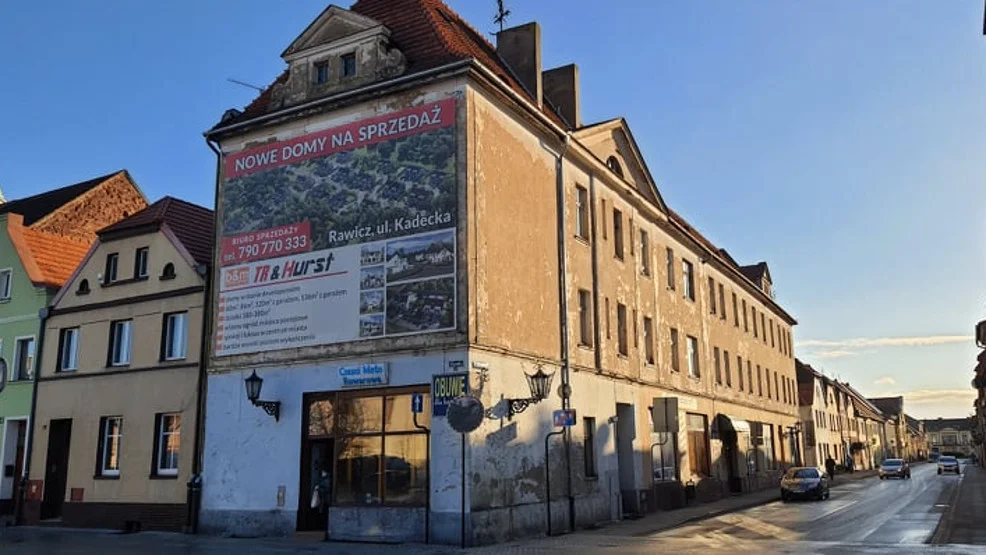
(119, 376)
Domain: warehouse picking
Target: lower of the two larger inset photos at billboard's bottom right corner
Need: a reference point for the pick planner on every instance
(421, 305)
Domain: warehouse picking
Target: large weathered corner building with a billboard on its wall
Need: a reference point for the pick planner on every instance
(409, 201)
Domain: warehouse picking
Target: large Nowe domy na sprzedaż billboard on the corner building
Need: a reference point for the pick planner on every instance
(340, 235)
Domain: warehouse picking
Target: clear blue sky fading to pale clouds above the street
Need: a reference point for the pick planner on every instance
(840, 141)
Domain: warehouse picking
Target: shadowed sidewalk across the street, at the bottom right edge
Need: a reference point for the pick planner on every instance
(963, 520)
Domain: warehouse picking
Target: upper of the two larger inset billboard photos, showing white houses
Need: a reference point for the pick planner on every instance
(421, 257)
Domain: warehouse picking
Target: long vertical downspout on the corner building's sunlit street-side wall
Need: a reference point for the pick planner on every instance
(566, 402)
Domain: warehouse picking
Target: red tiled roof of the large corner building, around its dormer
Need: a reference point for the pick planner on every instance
(430, 34)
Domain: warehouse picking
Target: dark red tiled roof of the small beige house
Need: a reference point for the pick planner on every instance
(191, 224)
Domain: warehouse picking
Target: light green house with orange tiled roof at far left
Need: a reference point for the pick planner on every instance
(42, 239)
